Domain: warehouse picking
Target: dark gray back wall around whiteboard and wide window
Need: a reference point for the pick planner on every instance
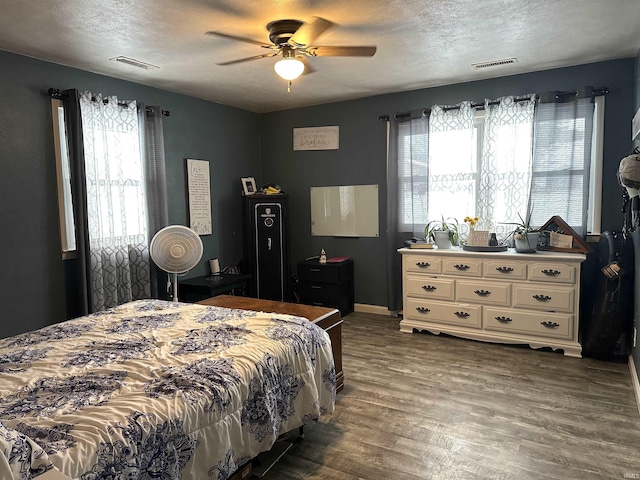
(361, 158)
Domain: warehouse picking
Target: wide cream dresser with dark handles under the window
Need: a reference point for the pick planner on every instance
(504, 297)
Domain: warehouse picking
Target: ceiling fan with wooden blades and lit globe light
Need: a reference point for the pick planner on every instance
(294, 40)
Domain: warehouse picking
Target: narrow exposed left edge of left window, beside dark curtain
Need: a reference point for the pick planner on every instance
(63, 170)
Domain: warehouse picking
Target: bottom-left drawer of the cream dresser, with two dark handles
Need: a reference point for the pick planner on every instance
(445, 313)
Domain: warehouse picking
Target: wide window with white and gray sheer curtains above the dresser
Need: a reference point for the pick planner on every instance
(500, 162)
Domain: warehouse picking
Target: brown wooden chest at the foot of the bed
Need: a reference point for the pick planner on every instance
(328, 319)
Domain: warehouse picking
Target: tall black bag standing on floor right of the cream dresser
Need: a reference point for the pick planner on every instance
(612, 314)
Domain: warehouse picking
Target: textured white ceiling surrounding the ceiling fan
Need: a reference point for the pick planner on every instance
(421, 43)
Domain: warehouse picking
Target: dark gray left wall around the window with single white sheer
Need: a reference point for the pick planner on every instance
(32, 280)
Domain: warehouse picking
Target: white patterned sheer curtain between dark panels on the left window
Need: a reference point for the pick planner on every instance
(117, 213)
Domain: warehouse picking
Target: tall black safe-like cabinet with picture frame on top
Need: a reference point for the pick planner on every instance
(266, 246)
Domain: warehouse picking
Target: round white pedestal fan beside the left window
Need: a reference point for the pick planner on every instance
(176, 250)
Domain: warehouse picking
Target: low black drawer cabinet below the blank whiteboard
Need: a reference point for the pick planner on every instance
(327, 284)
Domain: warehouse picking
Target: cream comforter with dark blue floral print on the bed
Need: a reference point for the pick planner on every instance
(158, 390)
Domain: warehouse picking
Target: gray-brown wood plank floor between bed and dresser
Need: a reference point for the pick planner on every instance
(420, 406)
